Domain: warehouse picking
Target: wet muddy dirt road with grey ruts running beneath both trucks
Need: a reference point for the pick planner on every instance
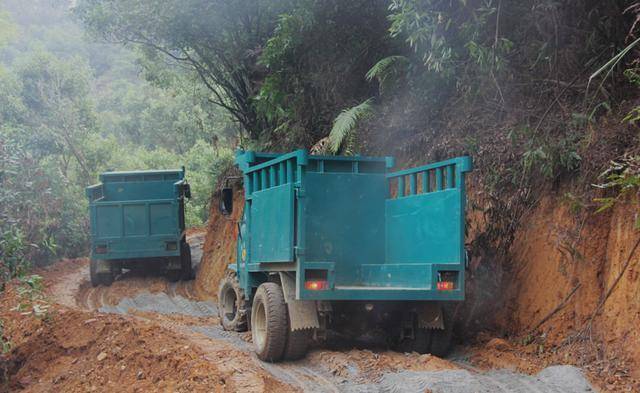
(175, 308)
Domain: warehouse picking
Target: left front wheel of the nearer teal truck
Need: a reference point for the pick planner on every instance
(232, 304)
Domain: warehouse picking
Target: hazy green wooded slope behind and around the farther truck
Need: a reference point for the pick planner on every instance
(71, 108)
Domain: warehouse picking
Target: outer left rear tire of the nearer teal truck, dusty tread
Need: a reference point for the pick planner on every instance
(269, 322)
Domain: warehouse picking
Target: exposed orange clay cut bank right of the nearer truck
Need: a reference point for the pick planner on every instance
(556, 251)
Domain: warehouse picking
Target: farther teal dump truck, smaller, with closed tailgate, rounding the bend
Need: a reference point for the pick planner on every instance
(137, 222)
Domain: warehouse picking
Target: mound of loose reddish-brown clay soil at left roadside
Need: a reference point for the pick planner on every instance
(75, 351)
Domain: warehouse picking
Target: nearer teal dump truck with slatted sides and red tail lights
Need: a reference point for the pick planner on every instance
(328, 242)
